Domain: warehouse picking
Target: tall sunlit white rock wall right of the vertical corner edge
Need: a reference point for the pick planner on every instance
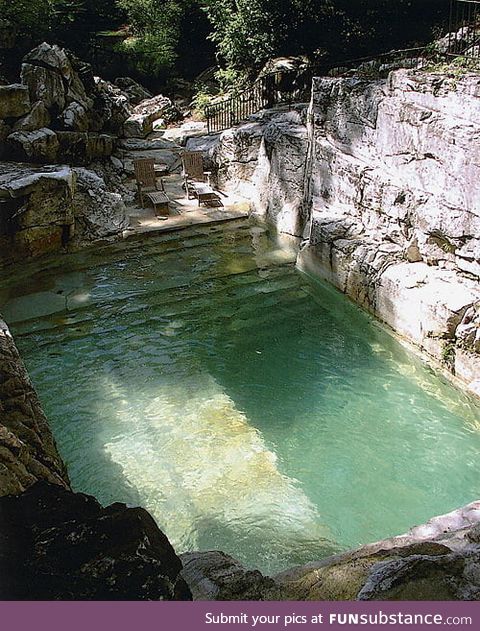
(394, 205)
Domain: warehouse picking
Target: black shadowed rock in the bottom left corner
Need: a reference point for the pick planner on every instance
(59, 545)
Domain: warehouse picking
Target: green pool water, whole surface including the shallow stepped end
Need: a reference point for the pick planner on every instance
(248, 407)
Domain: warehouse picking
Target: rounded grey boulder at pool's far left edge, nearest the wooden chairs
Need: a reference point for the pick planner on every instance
(99, 214)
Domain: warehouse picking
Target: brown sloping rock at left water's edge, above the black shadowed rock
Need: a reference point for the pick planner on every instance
(27, 450)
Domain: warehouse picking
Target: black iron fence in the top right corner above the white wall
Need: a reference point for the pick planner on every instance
(464, 29)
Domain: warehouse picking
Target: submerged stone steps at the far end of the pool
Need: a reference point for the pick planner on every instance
(199, 265)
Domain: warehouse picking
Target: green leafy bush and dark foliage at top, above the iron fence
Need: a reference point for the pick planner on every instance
(248, 32)
